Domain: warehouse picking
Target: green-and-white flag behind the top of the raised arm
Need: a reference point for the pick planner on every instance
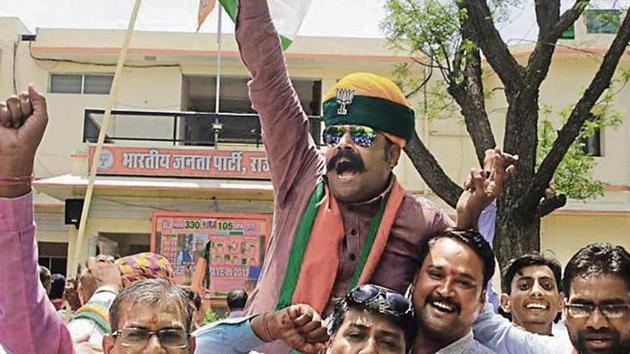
(287, 16)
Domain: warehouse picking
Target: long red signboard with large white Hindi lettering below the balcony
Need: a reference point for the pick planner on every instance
(137, 161)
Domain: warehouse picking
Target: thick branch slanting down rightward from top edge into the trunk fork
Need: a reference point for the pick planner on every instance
(496, 51)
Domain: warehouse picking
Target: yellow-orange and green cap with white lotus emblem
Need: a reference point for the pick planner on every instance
(371, 100)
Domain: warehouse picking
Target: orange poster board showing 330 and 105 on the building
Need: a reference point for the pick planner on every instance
(236, 251)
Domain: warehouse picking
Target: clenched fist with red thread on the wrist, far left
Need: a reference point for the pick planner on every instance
(23, 120)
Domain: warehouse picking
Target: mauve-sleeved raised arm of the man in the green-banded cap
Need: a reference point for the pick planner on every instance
(291, 151)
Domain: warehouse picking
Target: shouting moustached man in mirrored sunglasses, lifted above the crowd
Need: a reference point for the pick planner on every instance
(341, 218)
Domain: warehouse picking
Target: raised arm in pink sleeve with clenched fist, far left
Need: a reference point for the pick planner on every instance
(28, 321)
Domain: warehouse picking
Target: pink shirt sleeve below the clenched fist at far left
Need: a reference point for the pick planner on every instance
(29, 323)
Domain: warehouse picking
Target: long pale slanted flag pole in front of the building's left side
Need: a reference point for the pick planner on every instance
(113, 97)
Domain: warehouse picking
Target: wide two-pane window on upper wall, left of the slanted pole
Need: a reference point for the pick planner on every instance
(78, 83)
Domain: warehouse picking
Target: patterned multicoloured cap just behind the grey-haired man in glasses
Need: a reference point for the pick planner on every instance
(145, 265)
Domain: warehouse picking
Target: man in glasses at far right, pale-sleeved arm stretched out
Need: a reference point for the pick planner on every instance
(597, 310)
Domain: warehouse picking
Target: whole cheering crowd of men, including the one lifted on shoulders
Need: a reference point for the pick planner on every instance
(355, 264)
